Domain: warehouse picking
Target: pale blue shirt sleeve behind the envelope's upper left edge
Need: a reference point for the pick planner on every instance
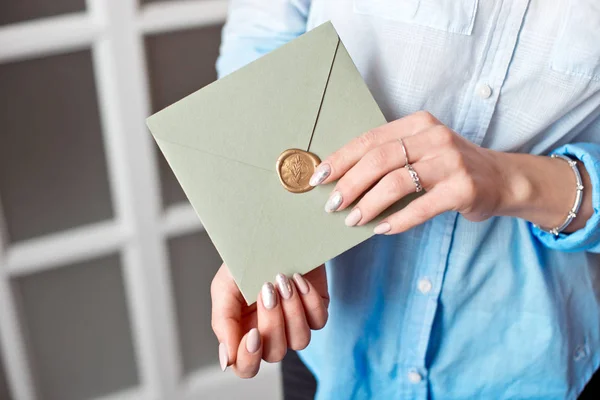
(256, 27)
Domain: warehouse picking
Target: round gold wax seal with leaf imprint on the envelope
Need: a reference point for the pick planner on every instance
(295, 167)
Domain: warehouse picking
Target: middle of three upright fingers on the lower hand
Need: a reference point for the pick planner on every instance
(297, 331)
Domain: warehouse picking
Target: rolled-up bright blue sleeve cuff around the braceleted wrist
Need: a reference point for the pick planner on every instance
(587, 238)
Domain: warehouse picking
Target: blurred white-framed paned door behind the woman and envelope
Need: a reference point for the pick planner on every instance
(104, 267)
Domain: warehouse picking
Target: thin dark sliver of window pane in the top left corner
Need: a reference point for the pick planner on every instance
(12, 11)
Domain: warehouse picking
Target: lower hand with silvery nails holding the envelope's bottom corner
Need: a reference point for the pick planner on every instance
(281, 318)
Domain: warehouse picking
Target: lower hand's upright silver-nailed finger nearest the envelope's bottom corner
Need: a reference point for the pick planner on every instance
(271, 324)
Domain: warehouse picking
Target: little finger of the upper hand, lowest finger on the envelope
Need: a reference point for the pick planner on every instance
(426, 207)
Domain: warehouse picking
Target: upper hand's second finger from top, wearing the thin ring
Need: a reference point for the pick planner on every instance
(371, 168)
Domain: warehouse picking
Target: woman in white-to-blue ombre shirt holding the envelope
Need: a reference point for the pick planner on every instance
(488, 285)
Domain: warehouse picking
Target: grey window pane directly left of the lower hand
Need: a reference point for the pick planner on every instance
(194, 262)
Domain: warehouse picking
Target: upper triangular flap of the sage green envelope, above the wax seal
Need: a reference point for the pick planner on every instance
(255, 113)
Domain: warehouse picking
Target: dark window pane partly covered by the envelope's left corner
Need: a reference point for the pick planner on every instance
(179, 63)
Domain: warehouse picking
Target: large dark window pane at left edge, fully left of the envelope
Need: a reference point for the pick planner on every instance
(52, 168)
